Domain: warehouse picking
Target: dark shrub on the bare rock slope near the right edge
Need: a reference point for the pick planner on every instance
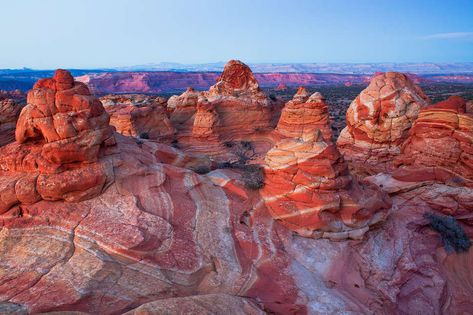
(452, 234)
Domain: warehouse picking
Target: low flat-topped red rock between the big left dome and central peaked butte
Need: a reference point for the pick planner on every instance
(139, 116)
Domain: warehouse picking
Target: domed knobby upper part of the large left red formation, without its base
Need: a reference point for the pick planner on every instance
(62, 113)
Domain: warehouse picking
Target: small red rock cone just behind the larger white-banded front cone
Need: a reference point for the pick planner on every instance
(305, 115)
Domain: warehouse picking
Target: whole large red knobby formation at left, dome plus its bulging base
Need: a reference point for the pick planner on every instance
(58, 138)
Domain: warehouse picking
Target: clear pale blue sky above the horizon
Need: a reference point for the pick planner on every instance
(109, 33)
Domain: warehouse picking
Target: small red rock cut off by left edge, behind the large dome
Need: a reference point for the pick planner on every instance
(9, 112)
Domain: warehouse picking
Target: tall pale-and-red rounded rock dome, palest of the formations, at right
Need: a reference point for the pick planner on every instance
(378, 121)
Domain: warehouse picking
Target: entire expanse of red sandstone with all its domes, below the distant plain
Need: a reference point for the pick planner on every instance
(228, 202)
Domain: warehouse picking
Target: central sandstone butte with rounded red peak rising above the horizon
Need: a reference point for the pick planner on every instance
(234, 108)
